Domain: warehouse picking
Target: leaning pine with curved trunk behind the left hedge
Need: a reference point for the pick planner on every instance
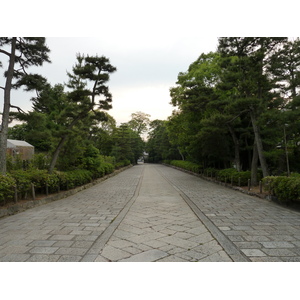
(86, 102)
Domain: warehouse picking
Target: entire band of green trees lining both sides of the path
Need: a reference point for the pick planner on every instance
(237, 107)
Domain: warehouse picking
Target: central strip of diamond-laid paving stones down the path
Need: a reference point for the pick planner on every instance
(161, 227)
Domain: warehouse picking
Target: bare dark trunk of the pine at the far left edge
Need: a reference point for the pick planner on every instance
(6, 108)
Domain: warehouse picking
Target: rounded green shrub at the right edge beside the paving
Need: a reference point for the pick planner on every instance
(285, 189)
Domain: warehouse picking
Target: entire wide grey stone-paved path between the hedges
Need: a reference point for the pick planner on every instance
(153, 213)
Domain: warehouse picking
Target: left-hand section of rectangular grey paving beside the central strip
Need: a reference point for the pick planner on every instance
(66, 229)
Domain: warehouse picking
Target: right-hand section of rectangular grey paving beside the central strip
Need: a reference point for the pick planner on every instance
(262, 230)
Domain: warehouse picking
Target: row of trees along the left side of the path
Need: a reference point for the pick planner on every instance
(69, 122)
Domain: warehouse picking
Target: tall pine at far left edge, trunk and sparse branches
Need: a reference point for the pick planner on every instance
(22, 53)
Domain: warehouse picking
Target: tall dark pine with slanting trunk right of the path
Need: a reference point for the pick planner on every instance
(249, 58)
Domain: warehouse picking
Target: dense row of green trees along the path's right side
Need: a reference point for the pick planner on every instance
(236, 107)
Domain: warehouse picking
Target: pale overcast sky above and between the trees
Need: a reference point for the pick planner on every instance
(145, 70)
